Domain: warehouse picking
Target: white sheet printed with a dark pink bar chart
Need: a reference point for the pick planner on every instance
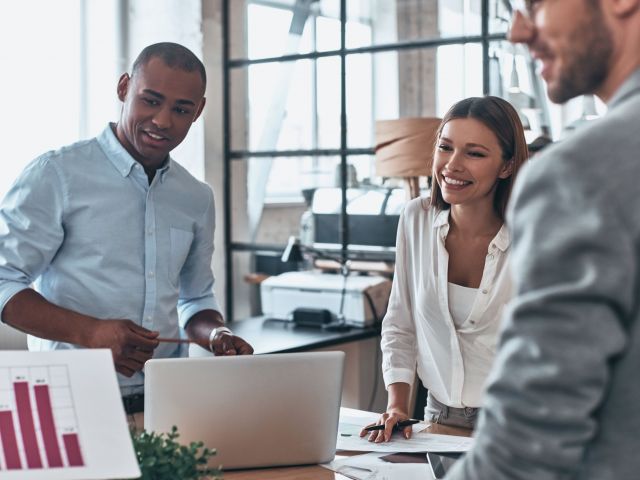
(61, 417)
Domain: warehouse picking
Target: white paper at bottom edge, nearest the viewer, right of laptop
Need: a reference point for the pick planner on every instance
(371, 467)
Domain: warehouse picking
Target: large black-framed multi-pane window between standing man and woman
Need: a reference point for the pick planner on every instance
(306, 80)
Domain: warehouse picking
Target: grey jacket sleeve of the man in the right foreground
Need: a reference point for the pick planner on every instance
(563, 332)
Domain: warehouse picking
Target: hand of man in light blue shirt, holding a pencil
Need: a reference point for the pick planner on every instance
(130, 344)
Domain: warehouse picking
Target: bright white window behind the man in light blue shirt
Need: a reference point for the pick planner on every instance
(57, 59)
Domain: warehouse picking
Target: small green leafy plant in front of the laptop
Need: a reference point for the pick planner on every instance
(161, 457)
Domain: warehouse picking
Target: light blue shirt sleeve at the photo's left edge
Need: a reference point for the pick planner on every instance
(31, 226)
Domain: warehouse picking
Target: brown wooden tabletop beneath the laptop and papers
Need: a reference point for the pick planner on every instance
(316, 472)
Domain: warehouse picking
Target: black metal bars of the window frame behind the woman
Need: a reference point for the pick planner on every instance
(229, 155)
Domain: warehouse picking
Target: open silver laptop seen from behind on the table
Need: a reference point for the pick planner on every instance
(256, 411)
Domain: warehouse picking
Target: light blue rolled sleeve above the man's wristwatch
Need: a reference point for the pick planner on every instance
(196, 276)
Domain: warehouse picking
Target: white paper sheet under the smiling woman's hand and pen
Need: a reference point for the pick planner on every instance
(352, 421)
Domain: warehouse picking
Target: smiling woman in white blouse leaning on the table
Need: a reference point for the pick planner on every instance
(452, 279)
